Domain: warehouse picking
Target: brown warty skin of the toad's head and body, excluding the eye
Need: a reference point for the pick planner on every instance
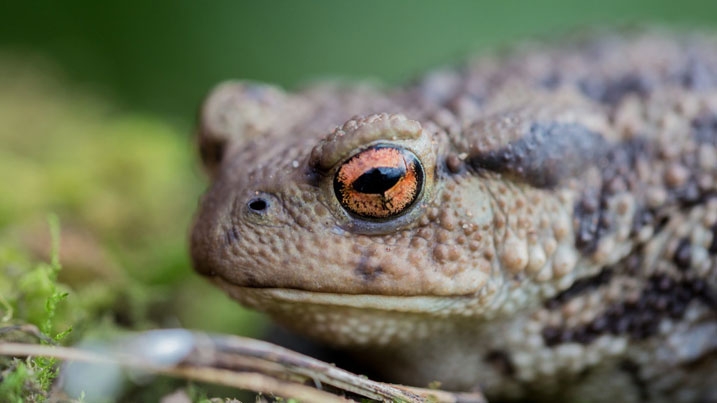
(563, 243)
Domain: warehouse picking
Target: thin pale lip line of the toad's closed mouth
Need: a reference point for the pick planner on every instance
(260, 298)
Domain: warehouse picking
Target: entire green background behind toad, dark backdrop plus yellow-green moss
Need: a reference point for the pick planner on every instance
(97, 106)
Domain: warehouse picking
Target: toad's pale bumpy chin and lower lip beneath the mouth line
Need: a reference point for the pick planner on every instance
(363, 320)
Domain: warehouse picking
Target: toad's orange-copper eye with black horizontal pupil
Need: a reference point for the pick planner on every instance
(379, 183)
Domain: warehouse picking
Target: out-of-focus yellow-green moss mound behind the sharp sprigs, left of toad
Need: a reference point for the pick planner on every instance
(123, 184)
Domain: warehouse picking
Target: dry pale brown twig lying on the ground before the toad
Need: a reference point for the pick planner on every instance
(246, 364)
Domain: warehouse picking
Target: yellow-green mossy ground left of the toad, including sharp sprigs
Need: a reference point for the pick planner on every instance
(95, 206)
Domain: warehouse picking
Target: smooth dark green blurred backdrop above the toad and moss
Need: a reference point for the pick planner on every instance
(162, 56)
